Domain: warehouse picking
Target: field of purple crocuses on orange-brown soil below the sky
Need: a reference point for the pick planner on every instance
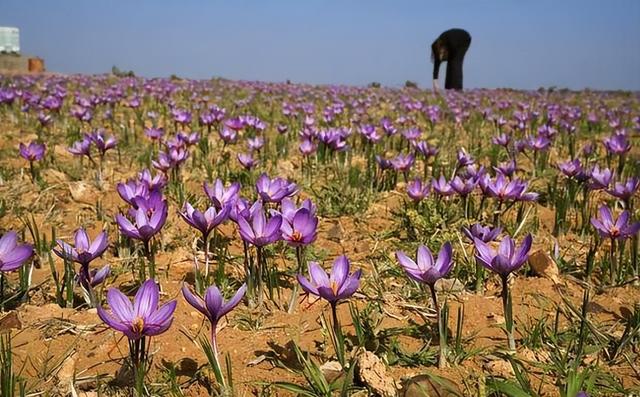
(229, 238)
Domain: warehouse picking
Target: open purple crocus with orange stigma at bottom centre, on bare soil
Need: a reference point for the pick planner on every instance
(338, 285)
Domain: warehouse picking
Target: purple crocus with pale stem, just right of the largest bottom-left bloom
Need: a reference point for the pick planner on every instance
(213, 306)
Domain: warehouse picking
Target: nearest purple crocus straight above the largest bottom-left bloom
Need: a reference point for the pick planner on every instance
(147, 222)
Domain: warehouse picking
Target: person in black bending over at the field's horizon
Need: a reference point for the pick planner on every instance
(456, 43)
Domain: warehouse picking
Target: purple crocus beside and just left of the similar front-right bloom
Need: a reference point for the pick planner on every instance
(425, 269)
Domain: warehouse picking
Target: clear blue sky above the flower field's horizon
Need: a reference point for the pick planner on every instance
(519, 44)
